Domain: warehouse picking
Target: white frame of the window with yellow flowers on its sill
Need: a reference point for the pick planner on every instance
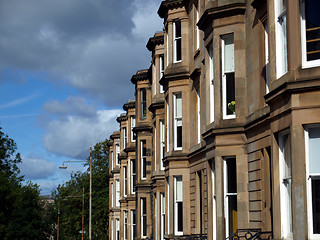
(224, 76)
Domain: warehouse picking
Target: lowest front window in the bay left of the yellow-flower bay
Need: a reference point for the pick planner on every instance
(178, 206)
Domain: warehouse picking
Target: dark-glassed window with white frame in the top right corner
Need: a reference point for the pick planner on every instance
(310, 33)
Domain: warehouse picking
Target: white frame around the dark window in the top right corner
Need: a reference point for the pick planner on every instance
(305, 62)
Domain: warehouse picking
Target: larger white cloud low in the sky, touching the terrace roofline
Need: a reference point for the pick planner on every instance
(73, 135)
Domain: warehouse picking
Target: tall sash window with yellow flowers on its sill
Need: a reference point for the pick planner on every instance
(228, 78)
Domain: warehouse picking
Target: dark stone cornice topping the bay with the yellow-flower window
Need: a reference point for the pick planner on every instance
(220, 12)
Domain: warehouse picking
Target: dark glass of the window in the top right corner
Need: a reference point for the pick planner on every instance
(312, 29)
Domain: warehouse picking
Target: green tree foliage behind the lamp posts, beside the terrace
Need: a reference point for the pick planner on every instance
(68, 198)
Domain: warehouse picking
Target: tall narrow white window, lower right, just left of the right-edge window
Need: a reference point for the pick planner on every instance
(285, 183)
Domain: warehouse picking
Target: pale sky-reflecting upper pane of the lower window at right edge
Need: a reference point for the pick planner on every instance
(314, 145)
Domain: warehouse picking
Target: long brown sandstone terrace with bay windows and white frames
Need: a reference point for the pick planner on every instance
(223, 136)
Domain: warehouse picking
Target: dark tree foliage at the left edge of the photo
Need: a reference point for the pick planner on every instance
(22, 212)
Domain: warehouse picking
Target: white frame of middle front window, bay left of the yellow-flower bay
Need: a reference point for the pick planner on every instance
(177, 120)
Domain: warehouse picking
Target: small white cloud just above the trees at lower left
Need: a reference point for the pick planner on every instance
(36, 168)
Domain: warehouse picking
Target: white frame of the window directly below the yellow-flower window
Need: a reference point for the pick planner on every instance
(226, 193)
